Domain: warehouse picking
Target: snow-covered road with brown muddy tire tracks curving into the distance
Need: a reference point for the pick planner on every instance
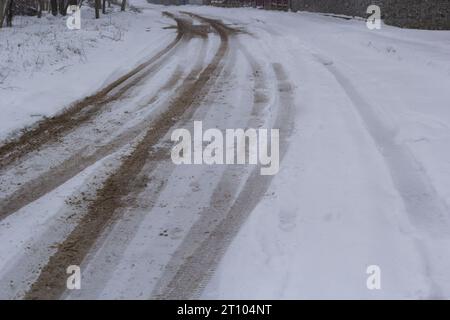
(364, 180)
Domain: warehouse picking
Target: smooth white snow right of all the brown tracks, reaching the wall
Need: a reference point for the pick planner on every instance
(366, 100)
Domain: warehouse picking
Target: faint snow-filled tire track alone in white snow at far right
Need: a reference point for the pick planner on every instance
(427, 211)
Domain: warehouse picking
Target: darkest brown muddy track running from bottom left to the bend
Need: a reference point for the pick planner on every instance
(110, 197)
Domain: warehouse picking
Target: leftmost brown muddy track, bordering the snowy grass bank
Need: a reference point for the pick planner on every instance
(50, 130)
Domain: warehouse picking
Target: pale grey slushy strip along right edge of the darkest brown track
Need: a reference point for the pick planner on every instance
(109, 250)
